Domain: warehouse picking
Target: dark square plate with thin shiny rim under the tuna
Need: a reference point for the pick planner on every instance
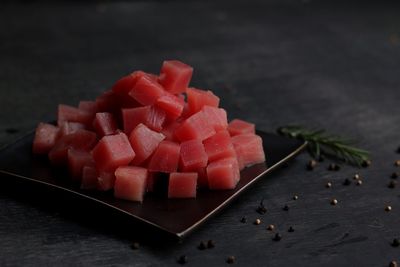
(175, 216)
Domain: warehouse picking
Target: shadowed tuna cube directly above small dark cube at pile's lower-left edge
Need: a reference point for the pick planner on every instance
(77, 159)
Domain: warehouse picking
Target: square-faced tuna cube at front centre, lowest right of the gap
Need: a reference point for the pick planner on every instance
(182, 185)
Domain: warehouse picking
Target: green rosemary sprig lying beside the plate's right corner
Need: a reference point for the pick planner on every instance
(321, 143)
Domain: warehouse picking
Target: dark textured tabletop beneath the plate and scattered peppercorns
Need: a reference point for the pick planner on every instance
(333, 66)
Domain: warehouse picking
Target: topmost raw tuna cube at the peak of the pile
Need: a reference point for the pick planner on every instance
(175, 76)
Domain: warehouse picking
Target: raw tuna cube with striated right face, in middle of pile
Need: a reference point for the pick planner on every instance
(150, 116)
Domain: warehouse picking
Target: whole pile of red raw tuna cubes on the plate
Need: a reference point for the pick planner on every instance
(146, 127)
